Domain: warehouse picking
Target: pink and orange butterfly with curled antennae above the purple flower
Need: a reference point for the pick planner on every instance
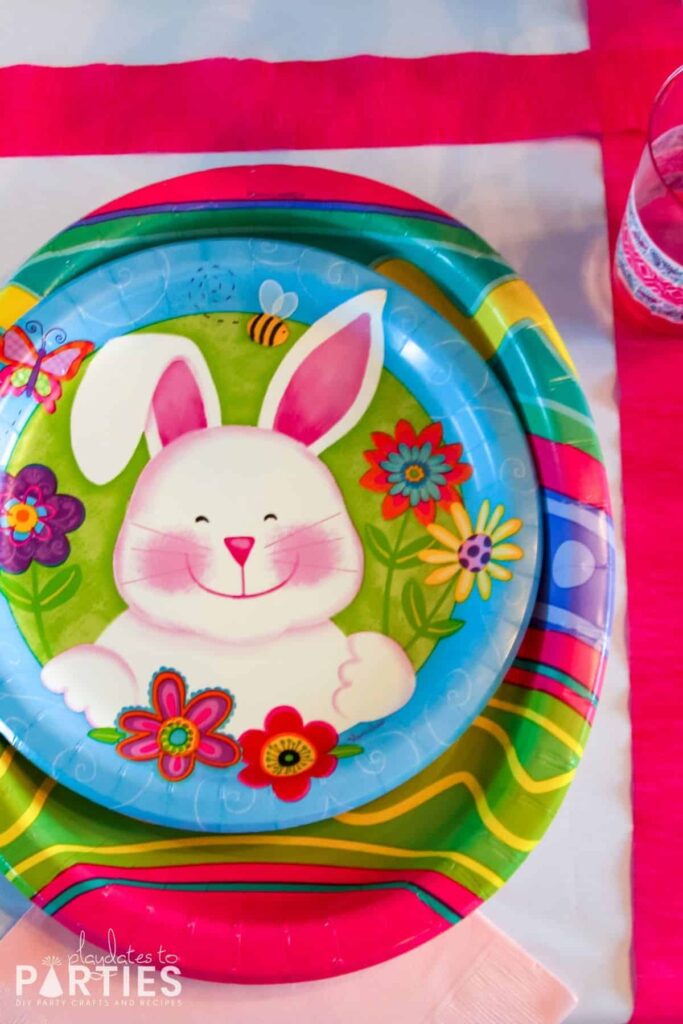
(35, 372)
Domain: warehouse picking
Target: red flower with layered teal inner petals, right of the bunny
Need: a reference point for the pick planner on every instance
(415, 472)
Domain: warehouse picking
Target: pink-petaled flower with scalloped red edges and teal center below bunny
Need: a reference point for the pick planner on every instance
(179, 735)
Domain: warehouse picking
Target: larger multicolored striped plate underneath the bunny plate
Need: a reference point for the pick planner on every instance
(375, 882)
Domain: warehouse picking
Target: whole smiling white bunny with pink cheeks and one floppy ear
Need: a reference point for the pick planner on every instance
(237, 548)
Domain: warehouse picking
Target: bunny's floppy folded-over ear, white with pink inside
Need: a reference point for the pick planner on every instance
(152, 385)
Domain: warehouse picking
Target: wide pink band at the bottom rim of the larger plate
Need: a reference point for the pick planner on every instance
(327, 933)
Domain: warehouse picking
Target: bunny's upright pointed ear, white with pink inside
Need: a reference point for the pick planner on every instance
(326, 382)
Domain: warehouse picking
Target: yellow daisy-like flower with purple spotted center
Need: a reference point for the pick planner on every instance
(474, 552)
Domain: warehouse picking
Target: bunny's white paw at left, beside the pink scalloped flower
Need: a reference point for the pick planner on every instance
(94, 680)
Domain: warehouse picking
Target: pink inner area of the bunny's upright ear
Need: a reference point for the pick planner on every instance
(326, 386)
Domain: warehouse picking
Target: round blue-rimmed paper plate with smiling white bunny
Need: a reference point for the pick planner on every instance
(269, 535)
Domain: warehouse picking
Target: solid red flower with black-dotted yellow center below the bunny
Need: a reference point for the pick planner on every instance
(287, 754)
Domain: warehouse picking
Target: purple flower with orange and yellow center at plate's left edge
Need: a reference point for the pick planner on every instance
(34, 521)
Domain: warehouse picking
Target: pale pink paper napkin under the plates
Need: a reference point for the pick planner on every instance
(473, 974)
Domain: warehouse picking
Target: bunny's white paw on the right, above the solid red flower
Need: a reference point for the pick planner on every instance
(377, 680)
